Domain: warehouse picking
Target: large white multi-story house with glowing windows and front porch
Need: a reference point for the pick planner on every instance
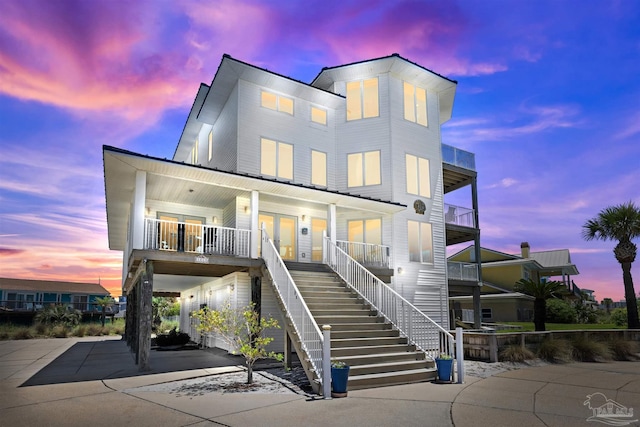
(351, 162)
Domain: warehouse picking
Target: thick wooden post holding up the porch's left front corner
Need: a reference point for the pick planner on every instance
(145, 315)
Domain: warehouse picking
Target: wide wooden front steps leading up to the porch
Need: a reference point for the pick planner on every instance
(374, 350)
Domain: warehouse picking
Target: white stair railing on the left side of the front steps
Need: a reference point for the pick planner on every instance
(305, 326)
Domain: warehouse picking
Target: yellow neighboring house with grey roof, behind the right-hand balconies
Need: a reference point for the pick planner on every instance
(501, 271)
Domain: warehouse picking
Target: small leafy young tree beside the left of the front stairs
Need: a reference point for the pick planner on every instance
(241, 328)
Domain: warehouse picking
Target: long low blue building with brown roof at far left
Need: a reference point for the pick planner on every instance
(21, 295)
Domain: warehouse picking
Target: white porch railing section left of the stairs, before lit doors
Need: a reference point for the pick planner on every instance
(196, 238)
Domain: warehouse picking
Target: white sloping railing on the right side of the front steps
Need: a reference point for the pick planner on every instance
(419, 329)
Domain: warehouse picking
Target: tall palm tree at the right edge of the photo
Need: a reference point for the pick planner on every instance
(620, 223)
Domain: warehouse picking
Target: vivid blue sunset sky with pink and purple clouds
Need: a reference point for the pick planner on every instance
(548, 99)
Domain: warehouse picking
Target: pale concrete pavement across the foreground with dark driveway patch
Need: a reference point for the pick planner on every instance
(94, 382)
